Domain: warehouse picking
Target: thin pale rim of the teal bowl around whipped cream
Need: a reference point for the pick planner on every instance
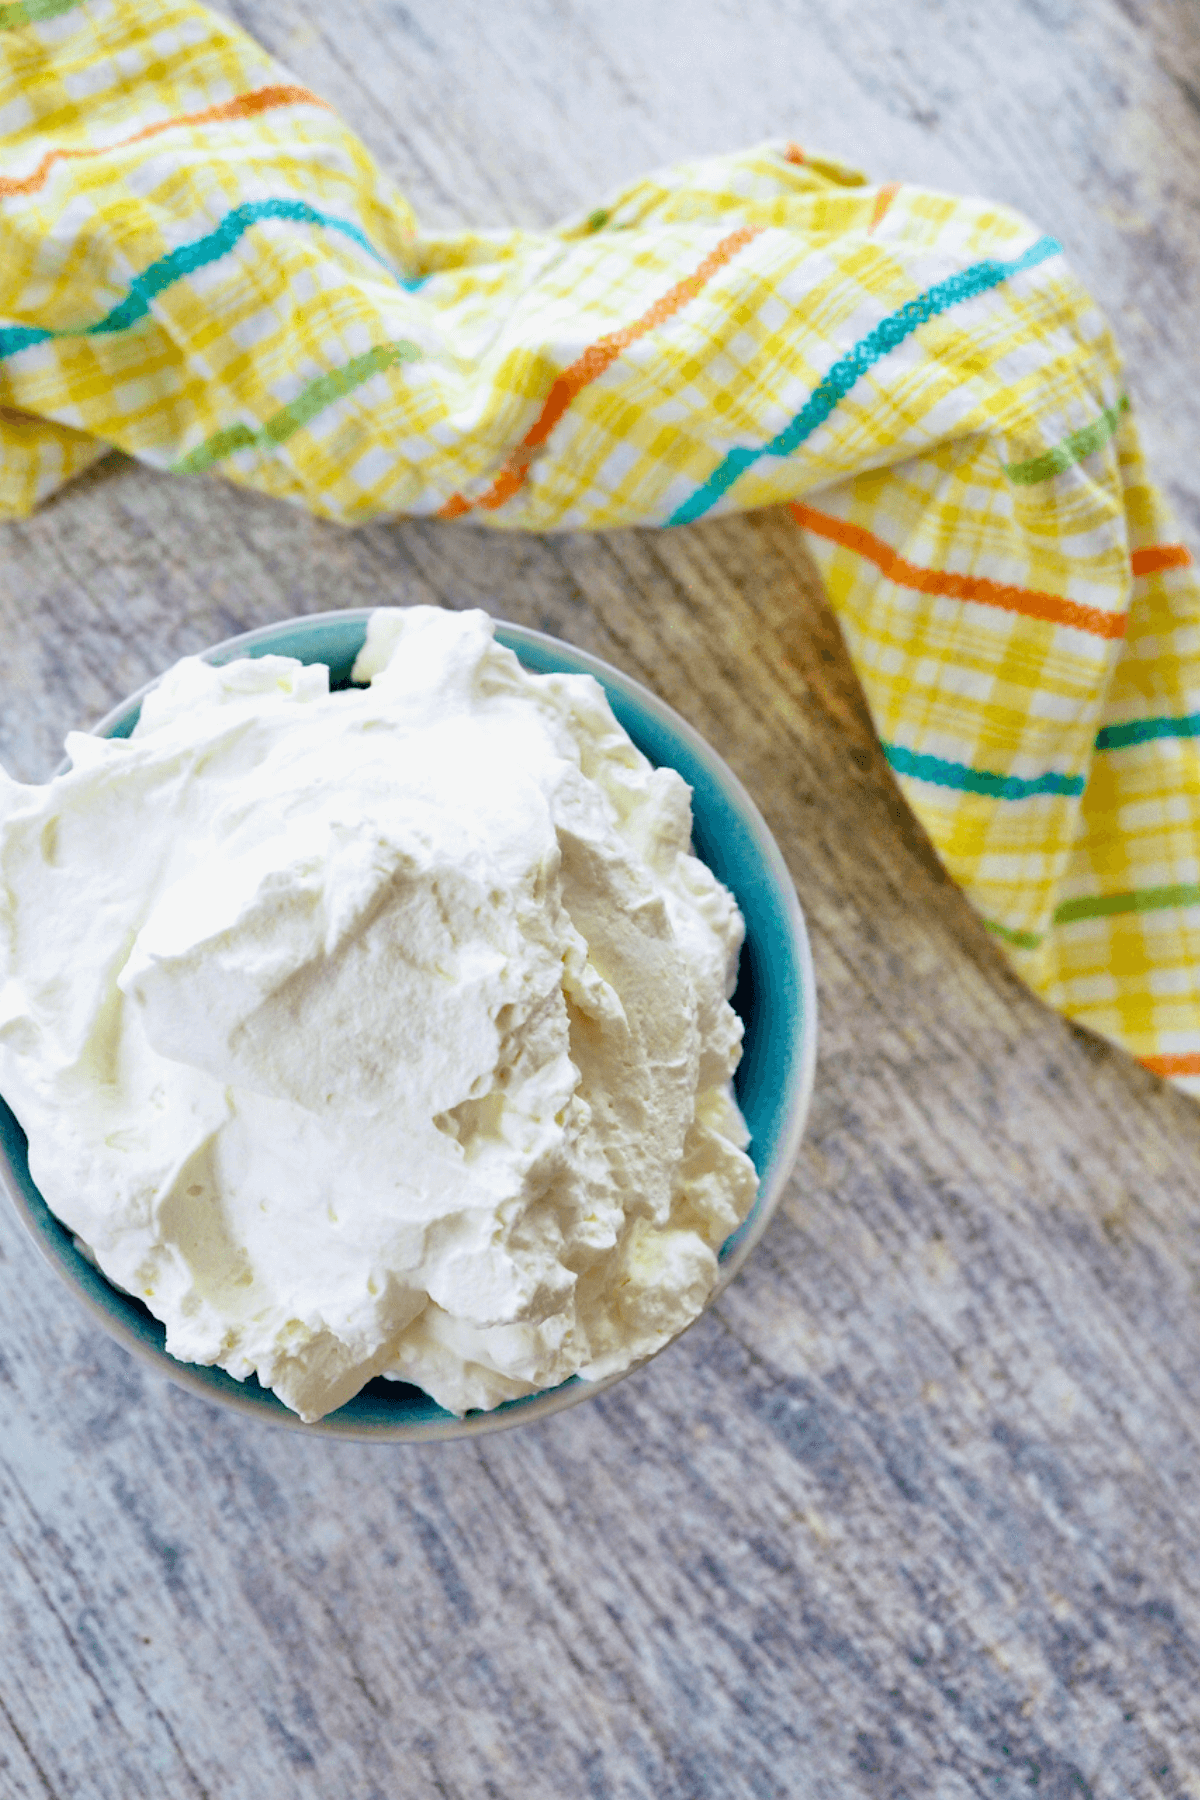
(546, 1403)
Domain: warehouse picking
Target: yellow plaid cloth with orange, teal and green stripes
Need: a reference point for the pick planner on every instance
(201, 265)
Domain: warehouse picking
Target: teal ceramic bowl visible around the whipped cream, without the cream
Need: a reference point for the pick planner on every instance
(776, 998)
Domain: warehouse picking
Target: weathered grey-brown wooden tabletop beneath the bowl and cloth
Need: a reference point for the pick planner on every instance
(917, 1509)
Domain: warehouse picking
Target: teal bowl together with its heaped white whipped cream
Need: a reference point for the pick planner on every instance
(407, 1023)
